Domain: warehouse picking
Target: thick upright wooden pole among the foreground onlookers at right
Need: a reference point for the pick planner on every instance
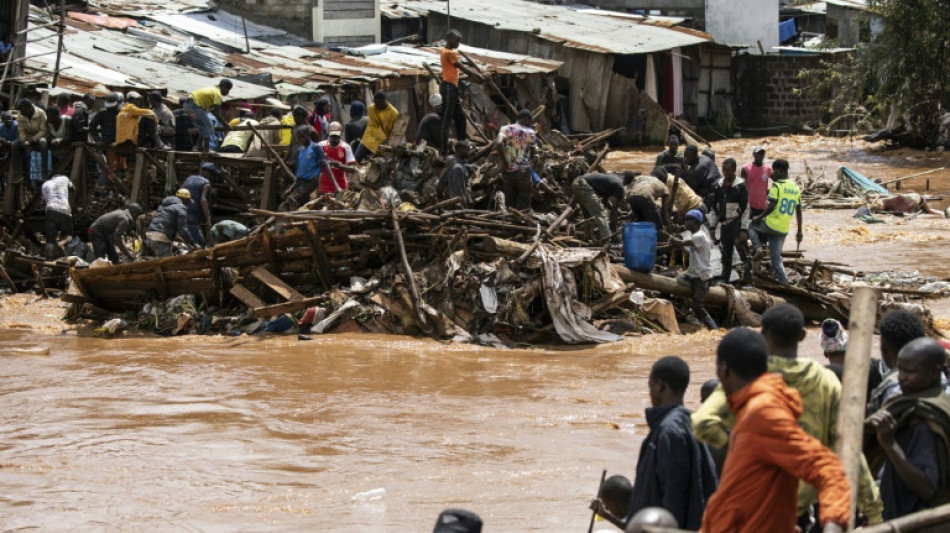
(849, 434)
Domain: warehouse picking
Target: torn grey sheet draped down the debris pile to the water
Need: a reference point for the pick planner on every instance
(560, 295)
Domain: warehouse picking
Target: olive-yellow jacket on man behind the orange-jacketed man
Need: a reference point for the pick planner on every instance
(821, 394)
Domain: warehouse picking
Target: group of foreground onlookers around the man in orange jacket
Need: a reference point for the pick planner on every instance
(756, 455)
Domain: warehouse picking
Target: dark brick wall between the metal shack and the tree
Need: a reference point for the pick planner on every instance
(768, 90)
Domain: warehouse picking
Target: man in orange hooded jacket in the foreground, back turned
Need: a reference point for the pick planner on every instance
(768, 451)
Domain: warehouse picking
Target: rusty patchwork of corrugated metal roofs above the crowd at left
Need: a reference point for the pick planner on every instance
(177, 52)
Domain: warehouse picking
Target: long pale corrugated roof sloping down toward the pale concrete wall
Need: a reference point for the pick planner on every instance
(587, 29)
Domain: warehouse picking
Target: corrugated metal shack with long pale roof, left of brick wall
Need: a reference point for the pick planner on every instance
(610, 58)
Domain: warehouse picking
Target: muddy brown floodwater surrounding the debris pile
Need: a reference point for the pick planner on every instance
(216, 434)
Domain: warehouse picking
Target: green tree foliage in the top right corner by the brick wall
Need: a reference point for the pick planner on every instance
(904, 70)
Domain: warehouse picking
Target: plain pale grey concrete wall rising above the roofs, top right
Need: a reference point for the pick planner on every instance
(743, 22)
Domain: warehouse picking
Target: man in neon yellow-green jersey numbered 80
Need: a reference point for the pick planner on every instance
(785, 200)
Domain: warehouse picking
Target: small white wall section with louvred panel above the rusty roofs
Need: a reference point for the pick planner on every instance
(346, 22)
